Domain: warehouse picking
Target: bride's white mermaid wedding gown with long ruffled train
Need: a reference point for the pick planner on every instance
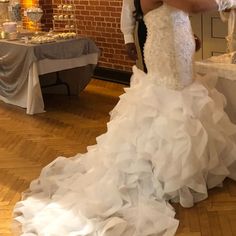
(168, 139)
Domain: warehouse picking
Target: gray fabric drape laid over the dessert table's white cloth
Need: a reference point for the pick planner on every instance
(16, 59)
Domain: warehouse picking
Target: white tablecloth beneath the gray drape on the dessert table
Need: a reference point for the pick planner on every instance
(30, 96)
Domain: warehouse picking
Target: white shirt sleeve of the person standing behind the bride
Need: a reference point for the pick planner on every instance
(127, 23)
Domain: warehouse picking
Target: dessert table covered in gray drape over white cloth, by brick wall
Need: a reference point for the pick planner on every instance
(21, 64)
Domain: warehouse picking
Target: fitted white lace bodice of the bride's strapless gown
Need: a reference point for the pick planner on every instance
(169, 47)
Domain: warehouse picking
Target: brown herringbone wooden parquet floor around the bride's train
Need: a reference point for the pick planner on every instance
(27, 143)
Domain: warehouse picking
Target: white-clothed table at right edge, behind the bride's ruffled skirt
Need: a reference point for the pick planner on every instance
(225, 81)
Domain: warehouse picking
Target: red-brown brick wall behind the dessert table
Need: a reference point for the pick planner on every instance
(99, 20)
